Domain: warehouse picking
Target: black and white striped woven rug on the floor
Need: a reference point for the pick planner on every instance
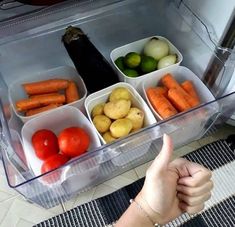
(219, 210)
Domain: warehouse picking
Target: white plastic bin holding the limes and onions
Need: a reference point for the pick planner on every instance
(138, 47)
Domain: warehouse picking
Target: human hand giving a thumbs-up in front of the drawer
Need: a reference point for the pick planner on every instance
(172, 188)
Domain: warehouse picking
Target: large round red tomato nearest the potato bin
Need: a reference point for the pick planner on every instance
(73, 141)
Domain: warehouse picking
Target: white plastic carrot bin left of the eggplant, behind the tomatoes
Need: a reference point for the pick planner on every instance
(16, 91)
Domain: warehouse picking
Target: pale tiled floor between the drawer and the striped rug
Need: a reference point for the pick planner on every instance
(15, 211)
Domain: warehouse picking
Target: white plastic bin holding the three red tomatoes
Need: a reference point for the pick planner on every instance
(55, 120)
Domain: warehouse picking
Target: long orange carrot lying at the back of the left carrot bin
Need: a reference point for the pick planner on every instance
(45, 86)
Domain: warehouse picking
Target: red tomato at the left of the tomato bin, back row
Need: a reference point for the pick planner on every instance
(45, 143)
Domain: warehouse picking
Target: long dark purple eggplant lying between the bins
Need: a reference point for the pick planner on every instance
(95, 70)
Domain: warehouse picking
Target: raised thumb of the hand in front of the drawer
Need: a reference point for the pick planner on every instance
(164, 157)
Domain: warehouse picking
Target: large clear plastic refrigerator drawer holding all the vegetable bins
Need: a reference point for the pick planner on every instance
(23, 52)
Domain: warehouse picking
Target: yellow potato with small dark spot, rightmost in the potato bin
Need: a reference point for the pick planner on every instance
(137, 117)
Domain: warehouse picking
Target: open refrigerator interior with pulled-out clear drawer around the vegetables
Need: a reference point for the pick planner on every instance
(30, 44)
